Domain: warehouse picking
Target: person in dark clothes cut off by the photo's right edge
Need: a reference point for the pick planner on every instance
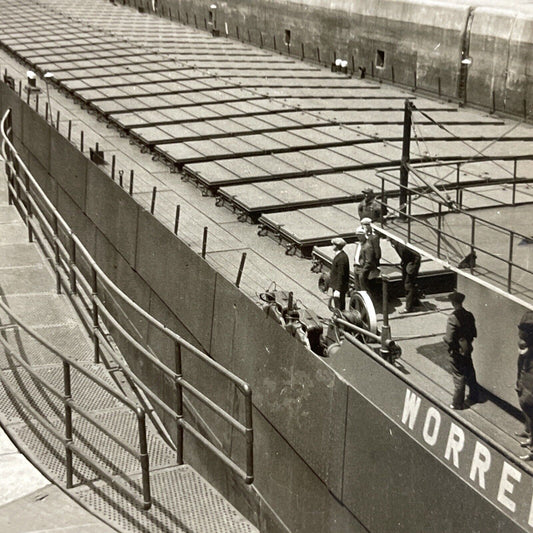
(524, 384)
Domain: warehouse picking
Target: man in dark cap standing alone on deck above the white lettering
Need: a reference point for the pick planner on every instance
(460, 334)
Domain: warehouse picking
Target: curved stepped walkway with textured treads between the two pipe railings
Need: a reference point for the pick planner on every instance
(182, 500)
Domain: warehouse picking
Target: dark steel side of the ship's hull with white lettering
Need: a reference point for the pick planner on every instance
(332, 451)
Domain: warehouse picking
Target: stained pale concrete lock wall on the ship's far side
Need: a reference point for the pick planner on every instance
(418, 44)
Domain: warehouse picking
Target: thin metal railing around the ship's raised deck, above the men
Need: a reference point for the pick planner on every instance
(444, 207)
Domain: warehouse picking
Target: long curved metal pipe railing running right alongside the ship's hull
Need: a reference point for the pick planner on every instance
(86, 280)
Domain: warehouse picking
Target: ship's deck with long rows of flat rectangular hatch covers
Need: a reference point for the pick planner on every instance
(283, 143)
